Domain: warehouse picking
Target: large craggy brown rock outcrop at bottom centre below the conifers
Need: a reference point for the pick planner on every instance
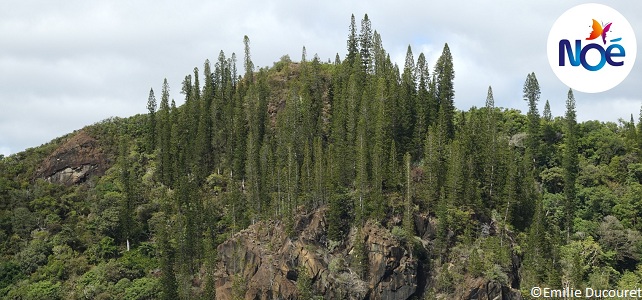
(261, 262)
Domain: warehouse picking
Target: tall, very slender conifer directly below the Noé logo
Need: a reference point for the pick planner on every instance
(571, 162)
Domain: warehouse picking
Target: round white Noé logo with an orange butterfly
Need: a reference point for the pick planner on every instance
(591, 48)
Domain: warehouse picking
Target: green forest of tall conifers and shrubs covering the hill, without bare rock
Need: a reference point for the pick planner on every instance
(366, 138)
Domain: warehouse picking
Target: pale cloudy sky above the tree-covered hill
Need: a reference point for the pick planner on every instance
(68, 64)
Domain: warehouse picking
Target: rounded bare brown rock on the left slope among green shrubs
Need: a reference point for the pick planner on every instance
(74, 161)
